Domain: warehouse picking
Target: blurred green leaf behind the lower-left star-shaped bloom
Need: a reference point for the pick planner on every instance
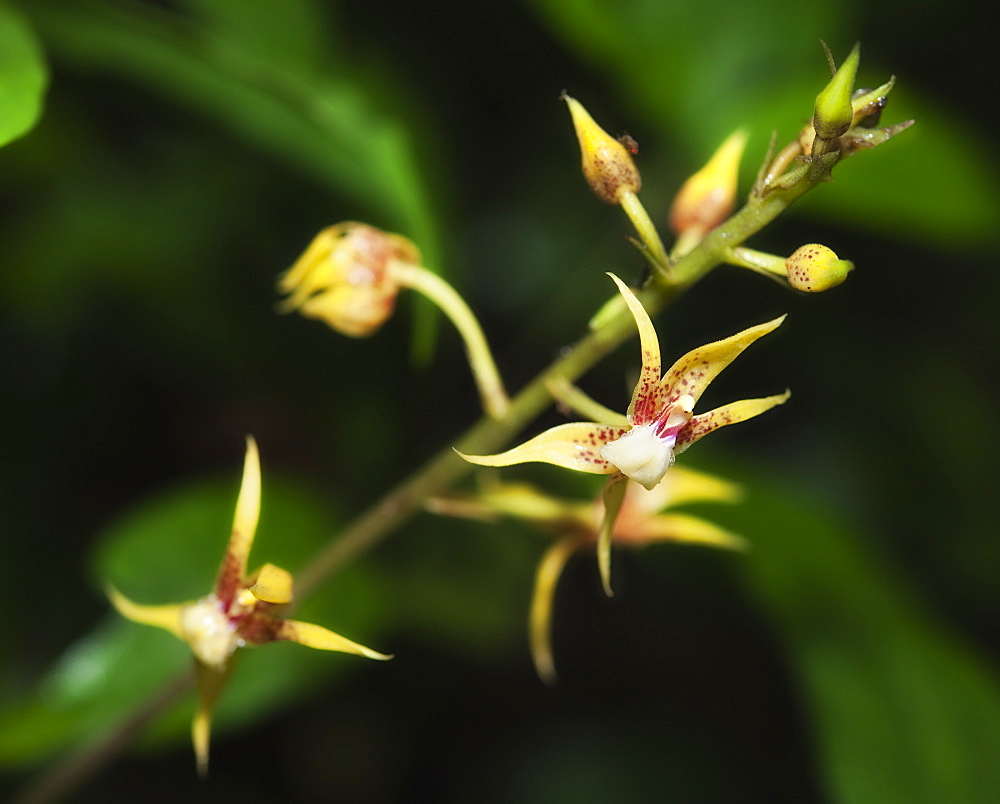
(168, 550)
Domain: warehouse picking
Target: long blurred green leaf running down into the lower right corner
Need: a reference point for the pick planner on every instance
(901, 709)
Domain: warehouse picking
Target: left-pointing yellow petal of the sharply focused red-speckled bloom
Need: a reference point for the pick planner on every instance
(572, 446)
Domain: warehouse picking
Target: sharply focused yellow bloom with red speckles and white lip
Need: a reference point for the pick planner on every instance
(660, 422)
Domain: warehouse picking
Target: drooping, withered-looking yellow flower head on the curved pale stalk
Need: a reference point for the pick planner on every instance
(345, 277)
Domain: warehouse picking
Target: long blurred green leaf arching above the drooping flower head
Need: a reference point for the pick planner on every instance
(329, 124)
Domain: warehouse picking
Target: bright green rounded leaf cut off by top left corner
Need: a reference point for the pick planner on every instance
(23, 76)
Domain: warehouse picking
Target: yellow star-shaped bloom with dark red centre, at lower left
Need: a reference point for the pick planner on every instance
(242, 610)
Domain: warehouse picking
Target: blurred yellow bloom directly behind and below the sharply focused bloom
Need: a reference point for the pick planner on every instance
(577, 526)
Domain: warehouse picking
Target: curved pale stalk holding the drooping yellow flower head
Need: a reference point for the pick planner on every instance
(484, 369)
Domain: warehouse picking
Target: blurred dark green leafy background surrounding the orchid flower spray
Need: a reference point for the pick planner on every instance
(189, 150)
